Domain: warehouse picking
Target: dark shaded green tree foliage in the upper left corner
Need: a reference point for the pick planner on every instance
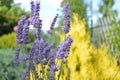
(9, 17)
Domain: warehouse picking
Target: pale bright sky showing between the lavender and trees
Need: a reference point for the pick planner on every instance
(49, 8)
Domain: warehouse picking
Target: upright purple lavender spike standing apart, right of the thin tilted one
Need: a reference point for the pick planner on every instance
(66, 26)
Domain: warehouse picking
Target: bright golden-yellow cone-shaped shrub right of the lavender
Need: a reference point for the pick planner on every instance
(85, 61)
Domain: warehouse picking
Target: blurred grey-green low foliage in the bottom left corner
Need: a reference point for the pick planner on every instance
(7, 69)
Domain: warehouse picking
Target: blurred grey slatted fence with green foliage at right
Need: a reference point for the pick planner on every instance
(107, 31)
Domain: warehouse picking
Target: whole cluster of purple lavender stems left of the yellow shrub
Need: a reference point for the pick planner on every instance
(41, 53)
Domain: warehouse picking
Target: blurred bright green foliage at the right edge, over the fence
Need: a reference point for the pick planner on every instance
(113, 35)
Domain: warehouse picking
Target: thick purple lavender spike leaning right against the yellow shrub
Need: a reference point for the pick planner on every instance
(64, 48)
